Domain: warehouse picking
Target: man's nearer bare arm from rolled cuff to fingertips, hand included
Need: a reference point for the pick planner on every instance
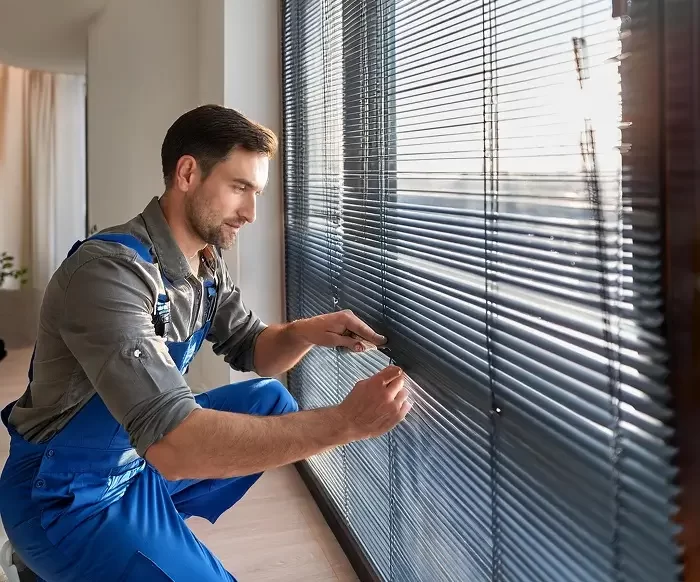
(210, 444)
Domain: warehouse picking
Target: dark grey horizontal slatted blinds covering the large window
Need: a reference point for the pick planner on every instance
(479, 181)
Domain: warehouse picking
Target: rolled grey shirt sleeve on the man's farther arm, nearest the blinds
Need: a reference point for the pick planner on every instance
(235, 328)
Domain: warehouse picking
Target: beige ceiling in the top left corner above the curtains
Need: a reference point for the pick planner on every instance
(46, 34)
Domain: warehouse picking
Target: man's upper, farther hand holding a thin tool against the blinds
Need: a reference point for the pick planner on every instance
(339, 329)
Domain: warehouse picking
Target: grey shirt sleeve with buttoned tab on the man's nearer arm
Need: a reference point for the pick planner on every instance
(107, 325)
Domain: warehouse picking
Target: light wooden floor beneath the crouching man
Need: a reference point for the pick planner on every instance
(275, 533)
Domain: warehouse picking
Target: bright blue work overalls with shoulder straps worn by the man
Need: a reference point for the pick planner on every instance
(83, 506)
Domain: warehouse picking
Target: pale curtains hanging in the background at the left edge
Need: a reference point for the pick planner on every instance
(42, 168)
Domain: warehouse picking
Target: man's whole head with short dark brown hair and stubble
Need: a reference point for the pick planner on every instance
(216, 160)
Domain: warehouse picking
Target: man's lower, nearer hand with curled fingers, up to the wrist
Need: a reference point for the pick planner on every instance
(376, 405)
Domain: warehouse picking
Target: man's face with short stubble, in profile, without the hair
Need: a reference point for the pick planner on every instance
(217, 207)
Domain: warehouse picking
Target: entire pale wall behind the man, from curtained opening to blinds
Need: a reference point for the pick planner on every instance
(149, 62)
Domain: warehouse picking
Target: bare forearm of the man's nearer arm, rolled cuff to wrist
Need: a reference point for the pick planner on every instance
(210, 444)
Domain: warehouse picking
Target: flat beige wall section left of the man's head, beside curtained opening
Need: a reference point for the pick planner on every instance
(142, 75)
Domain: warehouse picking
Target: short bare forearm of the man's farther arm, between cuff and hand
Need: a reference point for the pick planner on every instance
(278, 349)
